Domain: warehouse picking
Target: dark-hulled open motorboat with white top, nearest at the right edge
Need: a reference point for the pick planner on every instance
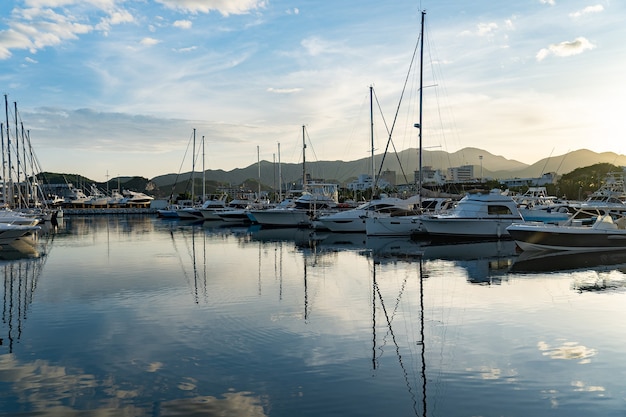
(588, 229)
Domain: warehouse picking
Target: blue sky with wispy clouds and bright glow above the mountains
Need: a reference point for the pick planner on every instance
(108, 88)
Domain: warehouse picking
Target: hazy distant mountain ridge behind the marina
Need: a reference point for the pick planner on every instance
(405, 163)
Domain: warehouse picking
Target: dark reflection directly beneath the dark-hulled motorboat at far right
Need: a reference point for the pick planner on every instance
(552, 261)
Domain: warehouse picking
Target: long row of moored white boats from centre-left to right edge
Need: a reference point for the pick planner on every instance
(534, 220)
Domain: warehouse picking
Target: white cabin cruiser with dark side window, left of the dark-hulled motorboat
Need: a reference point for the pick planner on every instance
(478, 214)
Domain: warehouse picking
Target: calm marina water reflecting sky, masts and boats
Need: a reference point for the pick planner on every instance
(137, 316)
